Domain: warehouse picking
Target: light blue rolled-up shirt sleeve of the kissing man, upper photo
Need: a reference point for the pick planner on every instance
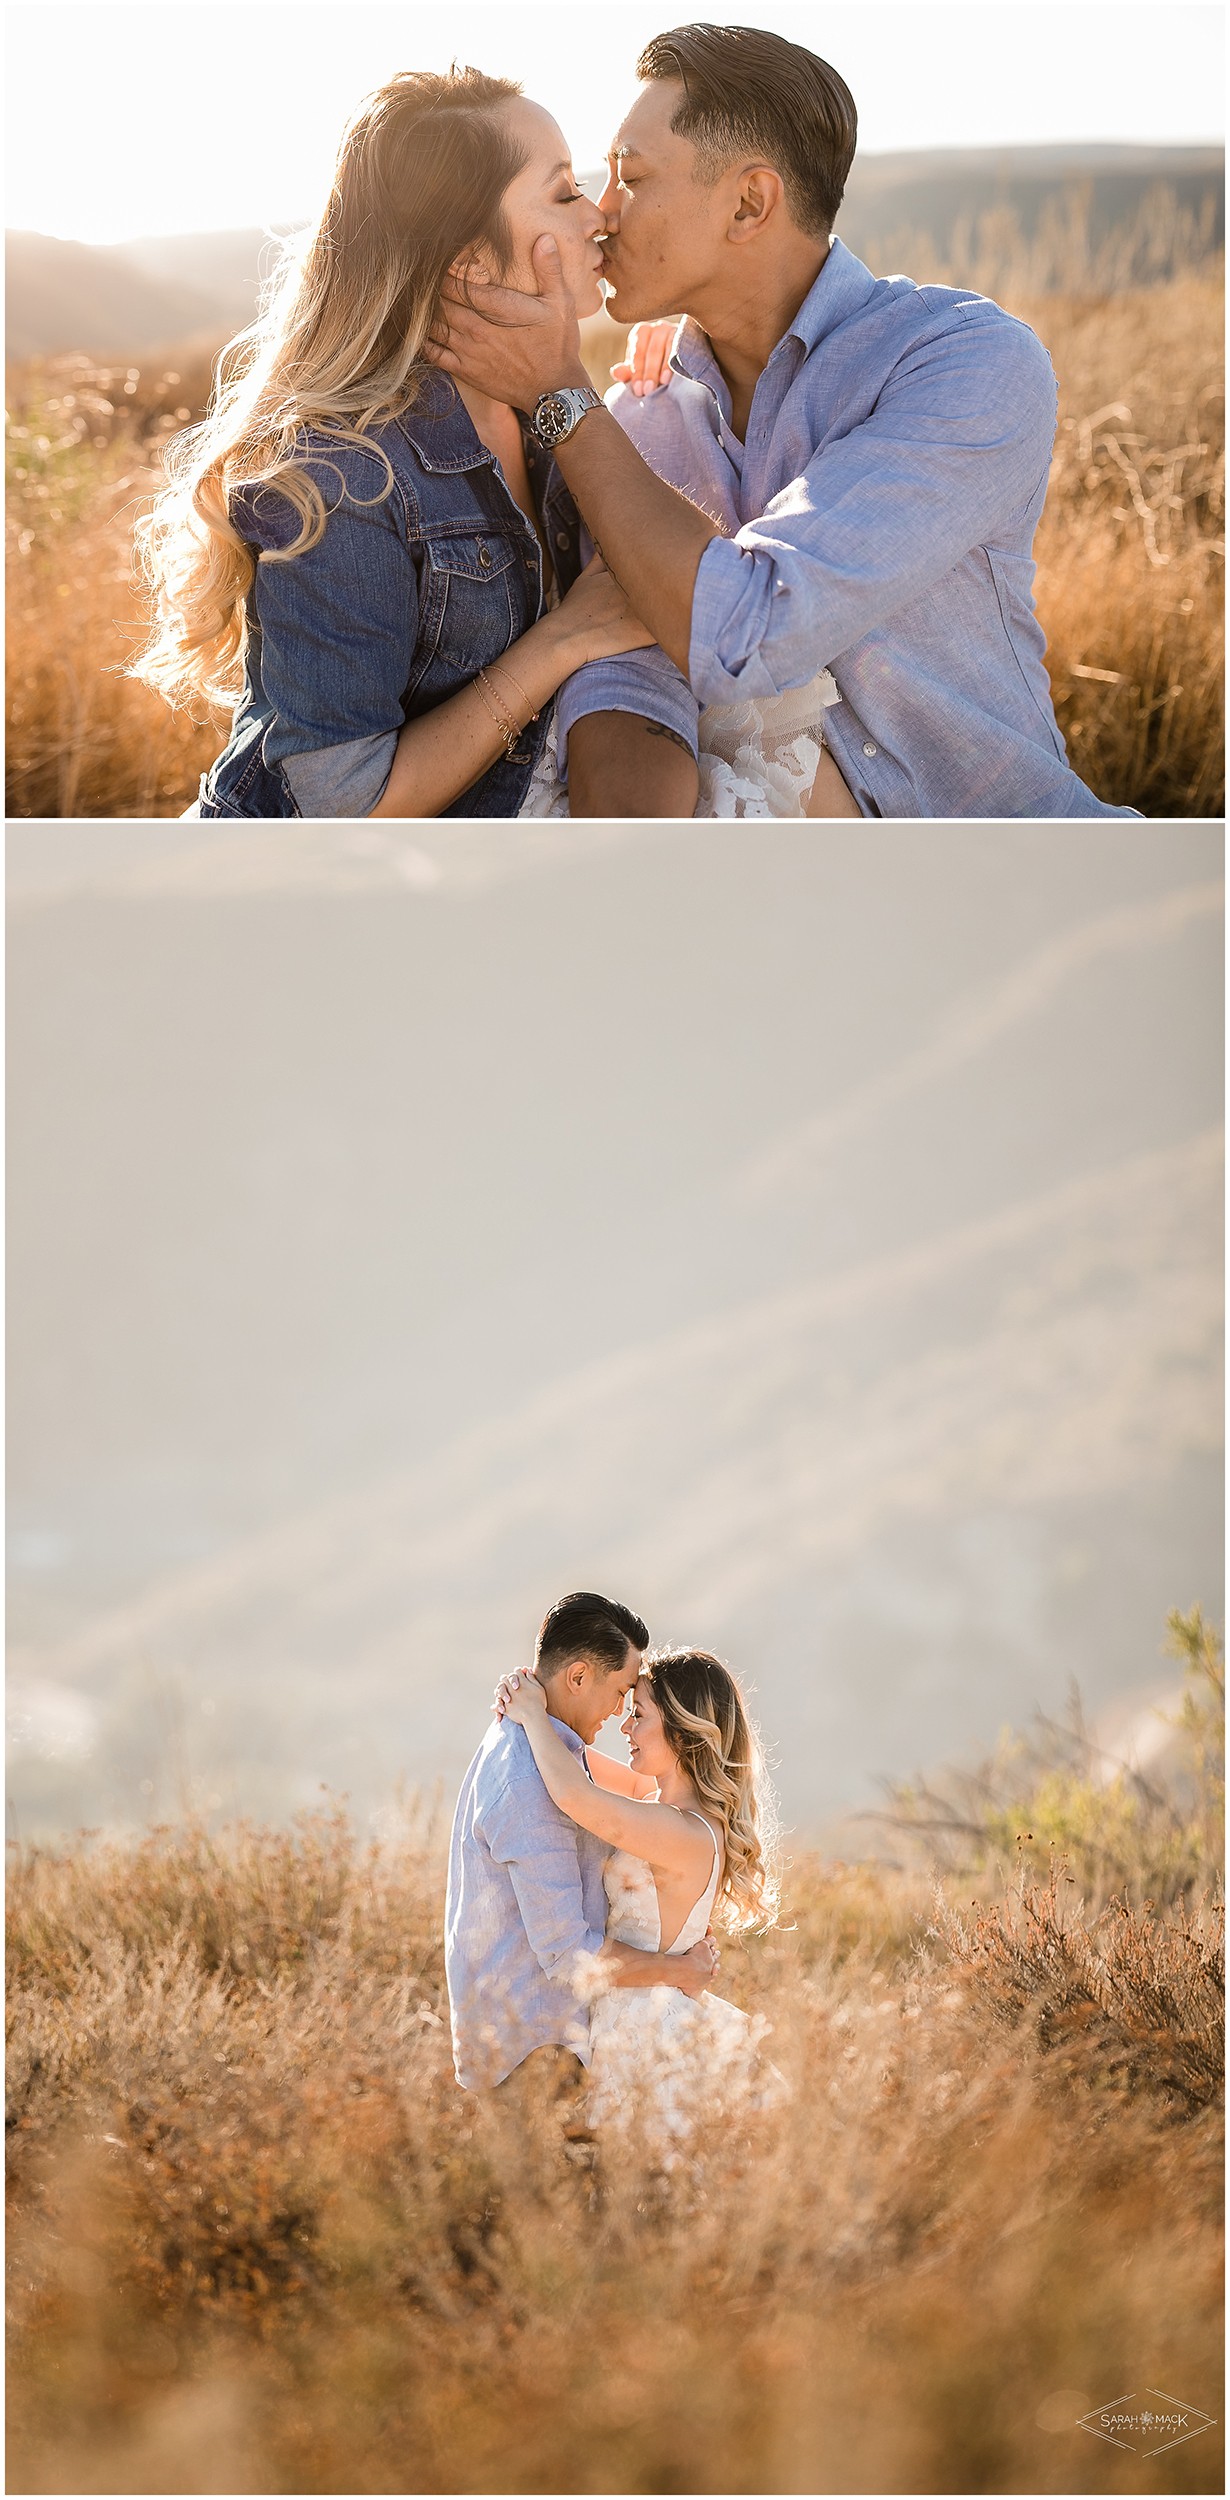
(956, 449)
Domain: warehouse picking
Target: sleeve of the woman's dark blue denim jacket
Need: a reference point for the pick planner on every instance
(336, 631)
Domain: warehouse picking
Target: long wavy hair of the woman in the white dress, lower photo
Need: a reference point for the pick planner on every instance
(711, 1736)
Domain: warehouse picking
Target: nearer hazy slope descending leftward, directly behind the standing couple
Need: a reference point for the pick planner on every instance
(1059, 1361)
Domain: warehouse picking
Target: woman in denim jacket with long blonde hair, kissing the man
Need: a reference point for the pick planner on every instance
(379, 566)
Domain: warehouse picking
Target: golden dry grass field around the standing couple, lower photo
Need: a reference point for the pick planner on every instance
(259, 2241)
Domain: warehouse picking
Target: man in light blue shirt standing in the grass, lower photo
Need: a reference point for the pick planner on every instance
(526, 1906)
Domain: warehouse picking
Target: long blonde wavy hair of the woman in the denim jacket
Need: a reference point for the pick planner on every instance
(339, 349)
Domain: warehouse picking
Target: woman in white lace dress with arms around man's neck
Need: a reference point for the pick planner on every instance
(686, 1821)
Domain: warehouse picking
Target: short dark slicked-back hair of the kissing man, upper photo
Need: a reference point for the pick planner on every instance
(746, 91)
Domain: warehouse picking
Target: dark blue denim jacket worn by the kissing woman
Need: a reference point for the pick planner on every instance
(399, 606)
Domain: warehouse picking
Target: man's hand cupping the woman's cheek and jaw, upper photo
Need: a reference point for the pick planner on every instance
(509, 344)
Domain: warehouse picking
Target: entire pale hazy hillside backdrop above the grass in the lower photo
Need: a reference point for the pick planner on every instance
(871, 1341)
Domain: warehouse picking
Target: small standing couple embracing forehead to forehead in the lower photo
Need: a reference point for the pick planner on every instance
(581, 1891)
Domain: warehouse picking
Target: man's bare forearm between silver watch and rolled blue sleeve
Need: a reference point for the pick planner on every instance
(651, 536)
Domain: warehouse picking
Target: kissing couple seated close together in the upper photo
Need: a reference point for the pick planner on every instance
(781, 571)
